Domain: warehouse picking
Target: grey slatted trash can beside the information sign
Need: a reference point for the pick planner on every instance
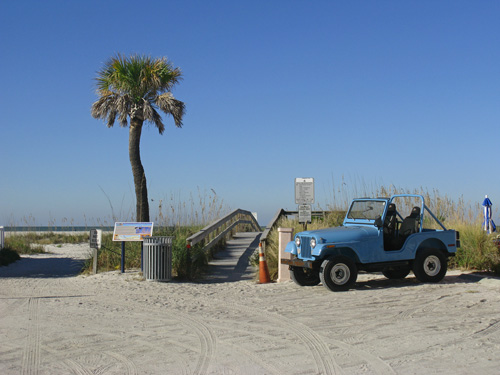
(157, 258)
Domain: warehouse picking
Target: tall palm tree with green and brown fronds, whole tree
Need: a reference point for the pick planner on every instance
(135, 88)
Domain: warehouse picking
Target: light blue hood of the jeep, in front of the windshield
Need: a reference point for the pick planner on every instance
(342, 234)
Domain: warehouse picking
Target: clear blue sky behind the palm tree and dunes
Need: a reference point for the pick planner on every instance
(380, 92)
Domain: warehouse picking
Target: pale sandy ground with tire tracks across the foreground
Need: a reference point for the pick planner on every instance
(52, 322)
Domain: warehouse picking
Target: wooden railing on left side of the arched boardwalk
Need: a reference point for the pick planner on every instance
(214, 232)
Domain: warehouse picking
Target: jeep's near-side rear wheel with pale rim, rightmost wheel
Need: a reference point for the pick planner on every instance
(430, 266)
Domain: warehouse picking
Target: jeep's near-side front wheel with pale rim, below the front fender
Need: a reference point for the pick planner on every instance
(338, 273)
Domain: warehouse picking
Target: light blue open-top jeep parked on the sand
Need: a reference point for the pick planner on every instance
(374, 238)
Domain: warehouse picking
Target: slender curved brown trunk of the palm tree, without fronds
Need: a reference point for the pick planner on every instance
(141, 191)
